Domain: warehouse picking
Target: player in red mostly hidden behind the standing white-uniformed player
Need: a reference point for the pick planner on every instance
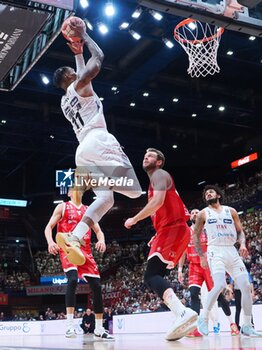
(198, 275)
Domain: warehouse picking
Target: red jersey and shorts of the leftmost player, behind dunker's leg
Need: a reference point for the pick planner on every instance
(72, 214)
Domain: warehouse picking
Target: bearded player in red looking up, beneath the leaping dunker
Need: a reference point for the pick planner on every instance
(169, 216)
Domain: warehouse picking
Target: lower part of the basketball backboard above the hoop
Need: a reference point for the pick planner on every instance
(243, 16)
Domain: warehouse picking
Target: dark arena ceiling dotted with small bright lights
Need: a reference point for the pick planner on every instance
(36, 139)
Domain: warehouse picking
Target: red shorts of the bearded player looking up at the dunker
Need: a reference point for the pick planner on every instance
(170, 243)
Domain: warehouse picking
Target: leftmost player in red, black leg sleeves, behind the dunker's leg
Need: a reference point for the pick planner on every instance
(66, 216)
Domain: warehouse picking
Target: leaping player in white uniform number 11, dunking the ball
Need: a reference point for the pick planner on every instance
(99, 155)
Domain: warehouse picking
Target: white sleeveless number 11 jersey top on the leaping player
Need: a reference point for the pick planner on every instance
(84, 113)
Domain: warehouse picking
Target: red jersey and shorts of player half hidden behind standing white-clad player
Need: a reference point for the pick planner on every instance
(197, 275)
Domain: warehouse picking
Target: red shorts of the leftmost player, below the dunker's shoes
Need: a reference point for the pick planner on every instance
(89, 269)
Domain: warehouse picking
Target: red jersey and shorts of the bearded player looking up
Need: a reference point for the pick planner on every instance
(172, 233)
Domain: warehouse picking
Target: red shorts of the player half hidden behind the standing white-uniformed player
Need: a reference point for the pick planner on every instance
(197, 275)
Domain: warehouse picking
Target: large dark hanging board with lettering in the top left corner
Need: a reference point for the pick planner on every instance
(27, 29)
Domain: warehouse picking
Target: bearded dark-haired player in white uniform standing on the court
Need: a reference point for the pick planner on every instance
(223, 229)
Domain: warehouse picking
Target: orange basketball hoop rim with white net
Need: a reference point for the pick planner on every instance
(201, 42)
